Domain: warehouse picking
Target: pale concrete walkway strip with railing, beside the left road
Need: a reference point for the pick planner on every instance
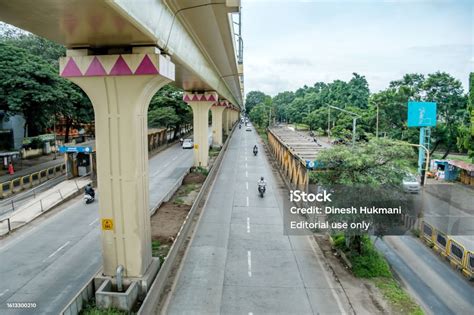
(42, 203)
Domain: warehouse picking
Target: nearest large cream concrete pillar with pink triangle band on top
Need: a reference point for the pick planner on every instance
(120, 88)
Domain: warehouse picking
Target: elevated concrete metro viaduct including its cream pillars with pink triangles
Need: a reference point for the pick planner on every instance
(121, 52)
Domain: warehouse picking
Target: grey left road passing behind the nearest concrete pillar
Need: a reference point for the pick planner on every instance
(50, 261)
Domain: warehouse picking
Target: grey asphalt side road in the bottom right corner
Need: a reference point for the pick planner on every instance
(439, 288)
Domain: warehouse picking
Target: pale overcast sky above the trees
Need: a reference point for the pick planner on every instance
(289, 43)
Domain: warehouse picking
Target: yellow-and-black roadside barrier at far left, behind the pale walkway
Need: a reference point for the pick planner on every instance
(29, 181)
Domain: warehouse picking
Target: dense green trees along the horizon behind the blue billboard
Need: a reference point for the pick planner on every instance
(309, 105)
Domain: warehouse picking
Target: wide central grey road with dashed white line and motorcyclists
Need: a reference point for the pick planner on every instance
(239, 261)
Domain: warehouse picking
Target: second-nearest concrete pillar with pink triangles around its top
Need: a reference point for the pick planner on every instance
(201, 103)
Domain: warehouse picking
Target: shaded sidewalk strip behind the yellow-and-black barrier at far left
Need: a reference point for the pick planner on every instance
(28, 166)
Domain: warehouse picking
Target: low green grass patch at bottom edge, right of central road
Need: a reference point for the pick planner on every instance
(399, 299)
